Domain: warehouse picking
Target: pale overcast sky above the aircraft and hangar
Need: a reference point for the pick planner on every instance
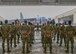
(13, 12)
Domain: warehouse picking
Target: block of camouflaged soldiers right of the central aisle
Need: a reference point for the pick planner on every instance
(63, 35)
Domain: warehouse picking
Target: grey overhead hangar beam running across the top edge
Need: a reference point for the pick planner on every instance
(38, 2)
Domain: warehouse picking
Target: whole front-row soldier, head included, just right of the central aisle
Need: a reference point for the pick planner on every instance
(47, 30)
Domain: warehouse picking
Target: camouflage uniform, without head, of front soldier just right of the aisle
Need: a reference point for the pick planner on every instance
(48, 37)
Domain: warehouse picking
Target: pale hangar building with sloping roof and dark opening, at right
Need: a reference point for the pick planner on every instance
(67, 17)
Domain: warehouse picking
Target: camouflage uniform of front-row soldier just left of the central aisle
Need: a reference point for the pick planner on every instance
(25, 31)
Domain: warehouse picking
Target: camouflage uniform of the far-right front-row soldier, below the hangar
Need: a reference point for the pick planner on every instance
(70, 31)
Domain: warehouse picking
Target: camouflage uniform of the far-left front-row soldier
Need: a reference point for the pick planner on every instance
(5, 31)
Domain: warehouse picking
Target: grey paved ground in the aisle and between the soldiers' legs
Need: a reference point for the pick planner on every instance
(37, 47)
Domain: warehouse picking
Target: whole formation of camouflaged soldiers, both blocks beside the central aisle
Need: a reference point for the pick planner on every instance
(14, 33)
